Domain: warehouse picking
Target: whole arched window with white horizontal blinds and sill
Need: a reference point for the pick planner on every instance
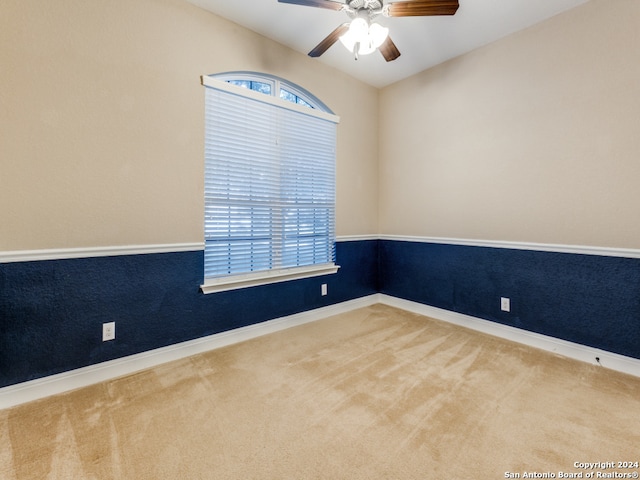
(269, 182)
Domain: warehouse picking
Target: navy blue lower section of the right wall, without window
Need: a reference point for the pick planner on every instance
(587, 299)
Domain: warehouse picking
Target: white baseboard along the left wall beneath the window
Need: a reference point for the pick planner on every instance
(63, 382)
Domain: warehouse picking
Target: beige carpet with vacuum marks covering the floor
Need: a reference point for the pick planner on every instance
(377, 393)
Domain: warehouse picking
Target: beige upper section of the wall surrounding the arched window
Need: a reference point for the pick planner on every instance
(101, 121)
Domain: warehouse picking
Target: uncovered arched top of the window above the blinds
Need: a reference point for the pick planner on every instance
(273, 86)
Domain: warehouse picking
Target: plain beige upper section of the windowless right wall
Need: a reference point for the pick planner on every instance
(534, 138)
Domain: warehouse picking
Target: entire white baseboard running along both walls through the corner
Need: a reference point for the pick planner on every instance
(82, 377)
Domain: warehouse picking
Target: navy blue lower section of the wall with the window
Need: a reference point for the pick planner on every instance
(51, 312)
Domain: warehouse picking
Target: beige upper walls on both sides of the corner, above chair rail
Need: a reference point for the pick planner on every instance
(533, 138)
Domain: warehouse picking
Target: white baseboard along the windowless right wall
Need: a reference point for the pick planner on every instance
(576, 351)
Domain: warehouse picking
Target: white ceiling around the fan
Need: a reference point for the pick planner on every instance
(422, 41)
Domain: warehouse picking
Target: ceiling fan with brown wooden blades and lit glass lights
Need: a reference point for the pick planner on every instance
(362, 35)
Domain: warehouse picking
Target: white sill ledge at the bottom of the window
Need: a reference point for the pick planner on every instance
(223, 284)
